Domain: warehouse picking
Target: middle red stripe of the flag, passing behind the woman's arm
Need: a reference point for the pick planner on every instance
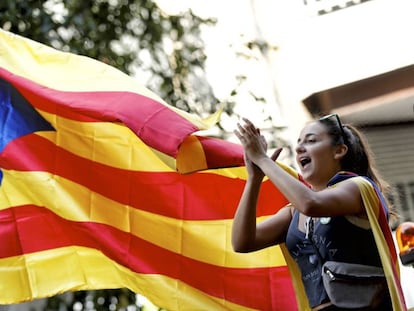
(194, 196)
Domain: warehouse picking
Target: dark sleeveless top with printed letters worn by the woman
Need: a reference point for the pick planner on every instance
(336, 239)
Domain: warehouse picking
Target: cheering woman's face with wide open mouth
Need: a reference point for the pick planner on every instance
(316, 157)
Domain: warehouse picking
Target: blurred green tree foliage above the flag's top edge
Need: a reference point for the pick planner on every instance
(135, 36)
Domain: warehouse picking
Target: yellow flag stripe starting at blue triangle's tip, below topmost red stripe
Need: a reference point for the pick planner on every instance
(107, 143)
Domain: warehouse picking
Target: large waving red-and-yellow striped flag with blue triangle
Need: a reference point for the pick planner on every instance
(104, 185)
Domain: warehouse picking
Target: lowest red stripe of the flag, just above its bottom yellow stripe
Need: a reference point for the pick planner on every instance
(39, 229)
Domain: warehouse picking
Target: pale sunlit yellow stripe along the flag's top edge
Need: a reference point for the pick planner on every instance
(45, 65)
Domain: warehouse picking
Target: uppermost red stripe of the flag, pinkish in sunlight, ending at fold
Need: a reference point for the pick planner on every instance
(156, 125)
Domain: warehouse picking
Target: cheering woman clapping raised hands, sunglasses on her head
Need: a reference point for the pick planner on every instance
(326, 219)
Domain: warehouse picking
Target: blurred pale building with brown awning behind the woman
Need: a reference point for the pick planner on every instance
(354, 58)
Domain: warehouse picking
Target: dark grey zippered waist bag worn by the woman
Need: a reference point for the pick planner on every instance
(353, 285)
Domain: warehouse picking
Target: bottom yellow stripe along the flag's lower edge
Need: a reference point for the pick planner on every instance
(41, 275)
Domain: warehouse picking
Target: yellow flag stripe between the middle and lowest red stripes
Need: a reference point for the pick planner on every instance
(178, 236)
